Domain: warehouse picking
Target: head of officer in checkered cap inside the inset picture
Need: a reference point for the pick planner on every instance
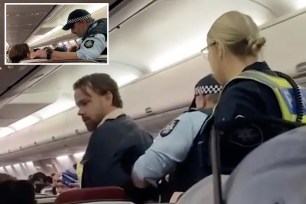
(78, 21)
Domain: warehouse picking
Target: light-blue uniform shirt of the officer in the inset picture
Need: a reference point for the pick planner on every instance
(93, 45)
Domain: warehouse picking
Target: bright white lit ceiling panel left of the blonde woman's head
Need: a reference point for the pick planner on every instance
(168, 26)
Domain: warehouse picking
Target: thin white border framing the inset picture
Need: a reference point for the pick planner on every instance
(38, 64)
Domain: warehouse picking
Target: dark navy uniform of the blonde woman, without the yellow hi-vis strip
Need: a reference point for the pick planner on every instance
(244, 98)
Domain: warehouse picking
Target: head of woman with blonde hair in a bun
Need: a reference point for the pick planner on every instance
(233, 42)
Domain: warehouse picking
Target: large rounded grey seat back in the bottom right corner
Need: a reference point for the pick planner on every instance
(273, 173)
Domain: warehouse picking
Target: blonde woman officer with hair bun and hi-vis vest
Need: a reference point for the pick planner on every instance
(252, 90)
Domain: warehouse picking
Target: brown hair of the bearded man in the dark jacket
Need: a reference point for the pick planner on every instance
(100, 83)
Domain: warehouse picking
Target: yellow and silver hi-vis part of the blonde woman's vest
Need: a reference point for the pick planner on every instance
(283, 91)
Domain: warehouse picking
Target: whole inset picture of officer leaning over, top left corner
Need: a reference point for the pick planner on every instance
(37, 33)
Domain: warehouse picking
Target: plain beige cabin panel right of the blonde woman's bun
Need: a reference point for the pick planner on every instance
(286, 44)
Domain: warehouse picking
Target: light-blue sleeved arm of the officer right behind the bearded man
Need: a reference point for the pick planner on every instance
(171, 146)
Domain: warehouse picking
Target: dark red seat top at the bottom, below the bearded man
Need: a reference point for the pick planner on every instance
(84, 195)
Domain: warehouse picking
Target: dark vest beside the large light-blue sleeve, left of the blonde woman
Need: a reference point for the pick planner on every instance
(191, 170)
